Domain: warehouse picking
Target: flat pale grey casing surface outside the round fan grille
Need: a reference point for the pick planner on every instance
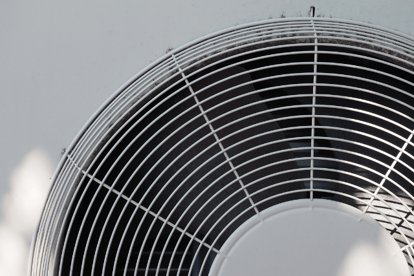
(59, 61)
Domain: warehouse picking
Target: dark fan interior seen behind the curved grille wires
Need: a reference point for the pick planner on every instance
(167, 159)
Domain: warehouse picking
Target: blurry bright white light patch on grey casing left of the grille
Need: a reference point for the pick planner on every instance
(22, 206)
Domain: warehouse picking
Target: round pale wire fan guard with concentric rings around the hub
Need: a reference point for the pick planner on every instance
(222, 129)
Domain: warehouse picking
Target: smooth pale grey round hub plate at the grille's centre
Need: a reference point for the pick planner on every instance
(304, 237)
